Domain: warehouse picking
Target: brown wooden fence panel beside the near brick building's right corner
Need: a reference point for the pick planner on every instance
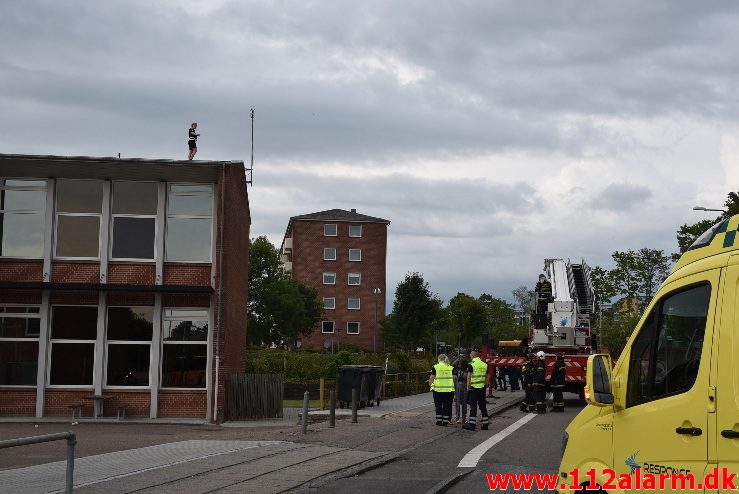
(253, 396)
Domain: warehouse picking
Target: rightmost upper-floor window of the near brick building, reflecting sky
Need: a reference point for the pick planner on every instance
(189, 223)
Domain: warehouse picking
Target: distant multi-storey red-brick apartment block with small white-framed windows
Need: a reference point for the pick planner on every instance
(343, 255)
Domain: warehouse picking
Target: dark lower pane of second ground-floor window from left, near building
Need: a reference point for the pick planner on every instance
(71, 364)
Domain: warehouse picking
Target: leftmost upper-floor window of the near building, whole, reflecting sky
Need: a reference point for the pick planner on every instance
(22, 217)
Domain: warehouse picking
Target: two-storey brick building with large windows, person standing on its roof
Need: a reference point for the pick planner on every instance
(111, 272)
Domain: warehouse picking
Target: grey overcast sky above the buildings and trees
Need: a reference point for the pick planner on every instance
(492, 134)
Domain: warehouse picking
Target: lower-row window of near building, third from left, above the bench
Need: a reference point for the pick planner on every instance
(129, 345)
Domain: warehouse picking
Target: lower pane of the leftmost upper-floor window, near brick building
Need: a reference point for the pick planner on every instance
(22, 234)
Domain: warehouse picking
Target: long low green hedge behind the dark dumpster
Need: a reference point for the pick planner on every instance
(303, 366)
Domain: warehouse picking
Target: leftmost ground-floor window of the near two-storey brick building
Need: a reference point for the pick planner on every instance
(19, 333)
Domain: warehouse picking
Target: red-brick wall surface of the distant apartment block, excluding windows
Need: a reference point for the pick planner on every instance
(309, 266)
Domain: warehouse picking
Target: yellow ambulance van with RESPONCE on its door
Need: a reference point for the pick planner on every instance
(670, 405)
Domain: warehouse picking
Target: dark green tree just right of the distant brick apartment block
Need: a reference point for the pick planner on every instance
(414, 309)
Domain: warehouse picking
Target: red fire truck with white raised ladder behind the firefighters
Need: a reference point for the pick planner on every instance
(560, 324)
